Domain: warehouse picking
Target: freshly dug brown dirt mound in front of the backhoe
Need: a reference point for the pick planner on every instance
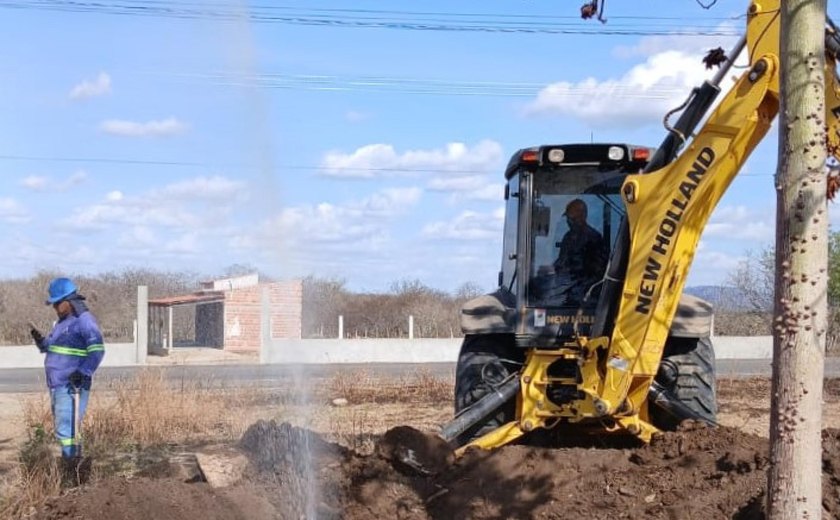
(697, 472)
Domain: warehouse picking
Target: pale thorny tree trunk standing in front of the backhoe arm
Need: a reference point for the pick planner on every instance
(795, 477)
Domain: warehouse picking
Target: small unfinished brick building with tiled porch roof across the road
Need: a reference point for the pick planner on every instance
(227, 314)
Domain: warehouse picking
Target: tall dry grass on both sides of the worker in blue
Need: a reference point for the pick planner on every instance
(143, 411)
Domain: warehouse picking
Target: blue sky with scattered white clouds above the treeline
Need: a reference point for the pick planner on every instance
(321, 138)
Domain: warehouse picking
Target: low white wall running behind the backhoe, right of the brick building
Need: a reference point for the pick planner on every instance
(443, 350)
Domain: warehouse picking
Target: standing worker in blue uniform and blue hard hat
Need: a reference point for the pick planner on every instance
(74, 349)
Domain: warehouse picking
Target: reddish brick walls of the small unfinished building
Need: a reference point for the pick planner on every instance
(242, 314)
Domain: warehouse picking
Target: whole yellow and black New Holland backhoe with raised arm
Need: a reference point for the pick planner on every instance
(589, 329)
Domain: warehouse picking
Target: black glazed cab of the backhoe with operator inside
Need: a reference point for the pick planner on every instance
(562, 216)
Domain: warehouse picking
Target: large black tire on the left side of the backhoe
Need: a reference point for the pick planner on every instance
(484, 362)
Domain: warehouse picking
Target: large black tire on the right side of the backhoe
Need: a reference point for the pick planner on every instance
(687, 372)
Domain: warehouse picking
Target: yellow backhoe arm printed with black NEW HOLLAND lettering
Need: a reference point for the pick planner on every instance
(668, 209)
